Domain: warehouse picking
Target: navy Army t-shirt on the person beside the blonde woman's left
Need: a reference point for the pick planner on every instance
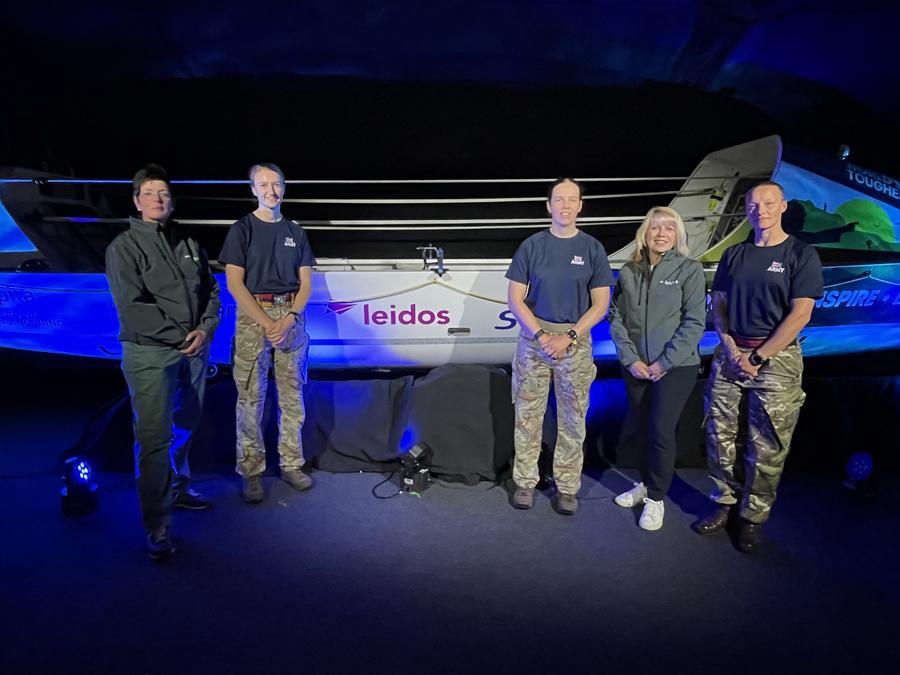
(560, 274)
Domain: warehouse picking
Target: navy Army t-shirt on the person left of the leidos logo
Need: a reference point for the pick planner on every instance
(270, 253)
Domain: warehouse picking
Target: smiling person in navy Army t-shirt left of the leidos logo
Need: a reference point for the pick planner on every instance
(268, 266)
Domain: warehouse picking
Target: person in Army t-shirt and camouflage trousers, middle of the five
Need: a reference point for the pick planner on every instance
(559, 286)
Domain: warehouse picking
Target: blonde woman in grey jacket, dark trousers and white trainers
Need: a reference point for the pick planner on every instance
(656, 320)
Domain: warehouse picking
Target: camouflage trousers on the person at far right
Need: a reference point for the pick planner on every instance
(756, 418)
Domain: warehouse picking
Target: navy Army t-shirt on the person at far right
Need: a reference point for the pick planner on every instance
(761, 281)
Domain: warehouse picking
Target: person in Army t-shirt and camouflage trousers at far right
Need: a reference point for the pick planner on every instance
(763, 295)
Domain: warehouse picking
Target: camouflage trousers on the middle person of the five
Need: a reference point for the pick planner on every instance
(571, 375)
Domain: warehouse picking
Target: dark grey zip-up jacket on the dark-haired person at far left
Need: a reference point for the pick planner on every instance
(162, 290)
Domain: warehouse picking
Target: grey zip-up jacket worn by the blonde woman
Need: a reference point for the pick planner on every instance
(659, 315)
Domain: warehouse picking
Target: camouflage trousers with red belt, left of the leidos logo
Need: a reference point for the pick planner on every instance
(252, 357)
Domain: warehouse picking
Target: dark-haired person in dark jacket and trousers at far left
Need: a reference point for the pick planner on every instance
(168, 306)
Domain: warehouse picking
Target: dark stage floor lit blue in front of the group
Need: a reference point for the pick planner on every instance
(336, 581)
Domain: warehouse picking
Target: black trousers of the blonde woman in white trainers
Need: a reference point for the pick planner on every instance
(654, 411)
